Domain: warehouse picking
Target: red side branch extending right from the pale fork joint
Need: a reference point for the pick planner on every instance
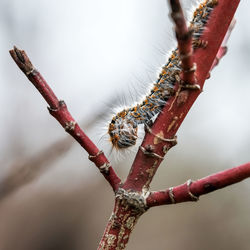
(190, 191)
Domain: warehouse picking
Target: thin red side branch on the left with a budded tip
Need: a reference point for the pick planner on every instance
(59, 111)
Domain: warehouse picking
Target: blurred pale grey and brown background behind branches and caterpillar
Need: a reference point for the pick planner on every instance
(94, 54)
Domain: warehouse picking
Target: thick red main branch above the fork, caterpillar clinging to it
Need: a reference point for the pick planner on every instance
(176, 109)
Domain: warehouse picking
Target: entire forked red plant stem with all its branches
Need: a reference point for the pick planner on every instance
(132, 198)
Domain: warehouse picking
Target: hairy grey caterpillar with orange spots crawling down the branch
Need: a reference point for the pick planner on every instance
(124, 125)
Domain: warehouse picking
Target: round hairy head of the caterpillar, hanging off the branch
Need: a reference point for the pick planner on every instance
(122, 131)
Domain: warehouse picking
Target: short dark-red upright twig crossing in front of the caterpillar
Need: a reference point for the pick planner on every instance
(184, 39)
